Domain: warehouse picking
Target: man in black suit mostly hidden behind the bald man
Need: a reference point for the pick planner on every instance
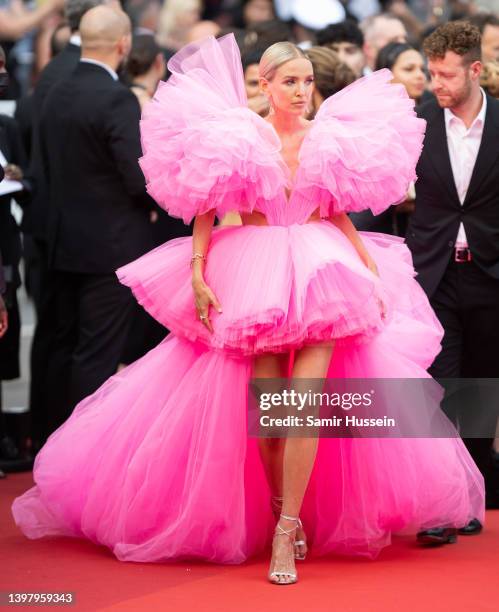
(34, 226)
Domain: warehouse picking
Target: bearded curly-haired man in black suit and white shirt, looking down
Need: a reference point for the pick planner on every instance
(453, 233)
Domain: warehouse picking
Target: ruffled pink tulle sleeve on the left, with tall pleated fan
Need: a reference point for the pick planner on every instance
(202, 147)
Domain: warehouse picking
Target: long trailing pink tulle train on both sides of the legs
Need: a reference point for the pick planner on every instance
(157, 465)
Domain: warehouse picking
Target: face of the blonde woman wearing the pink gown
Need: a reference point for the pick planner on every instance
(291, 88)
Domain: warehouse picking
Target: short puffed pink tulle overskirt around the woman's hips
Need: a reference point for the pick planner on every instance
(280, 288)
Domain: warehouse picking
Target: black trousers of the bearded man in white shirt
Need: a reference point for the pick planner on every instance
(467, 304)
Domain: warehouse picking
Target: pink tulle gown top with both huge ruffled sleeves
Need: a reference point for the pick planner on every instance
(204, 149)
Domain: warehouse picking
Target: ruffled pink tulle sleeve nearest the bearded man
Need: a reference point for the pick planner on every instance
(362, 149)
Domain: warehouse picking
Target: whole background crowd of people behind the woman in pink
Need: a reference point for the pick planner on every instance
(71, 153)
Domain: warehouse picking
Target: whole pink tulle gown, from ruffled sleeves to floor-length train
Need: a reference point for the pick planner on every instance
(157, 464)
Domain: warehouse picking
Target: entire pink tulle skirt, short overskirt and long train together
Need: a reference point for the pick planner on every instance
(157, 463)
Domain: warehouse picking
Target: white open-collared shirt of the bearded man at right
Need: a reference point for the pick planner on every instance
(463, 144)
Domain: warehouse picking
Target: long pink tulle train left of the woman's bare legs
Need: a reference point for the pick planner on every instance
(153, 464)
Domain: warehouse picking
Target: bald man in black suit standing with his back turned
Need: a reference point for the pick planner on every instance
(99, 210)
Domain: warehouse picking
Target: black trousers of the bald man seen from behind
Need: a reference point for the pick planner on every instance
(93, 318)
